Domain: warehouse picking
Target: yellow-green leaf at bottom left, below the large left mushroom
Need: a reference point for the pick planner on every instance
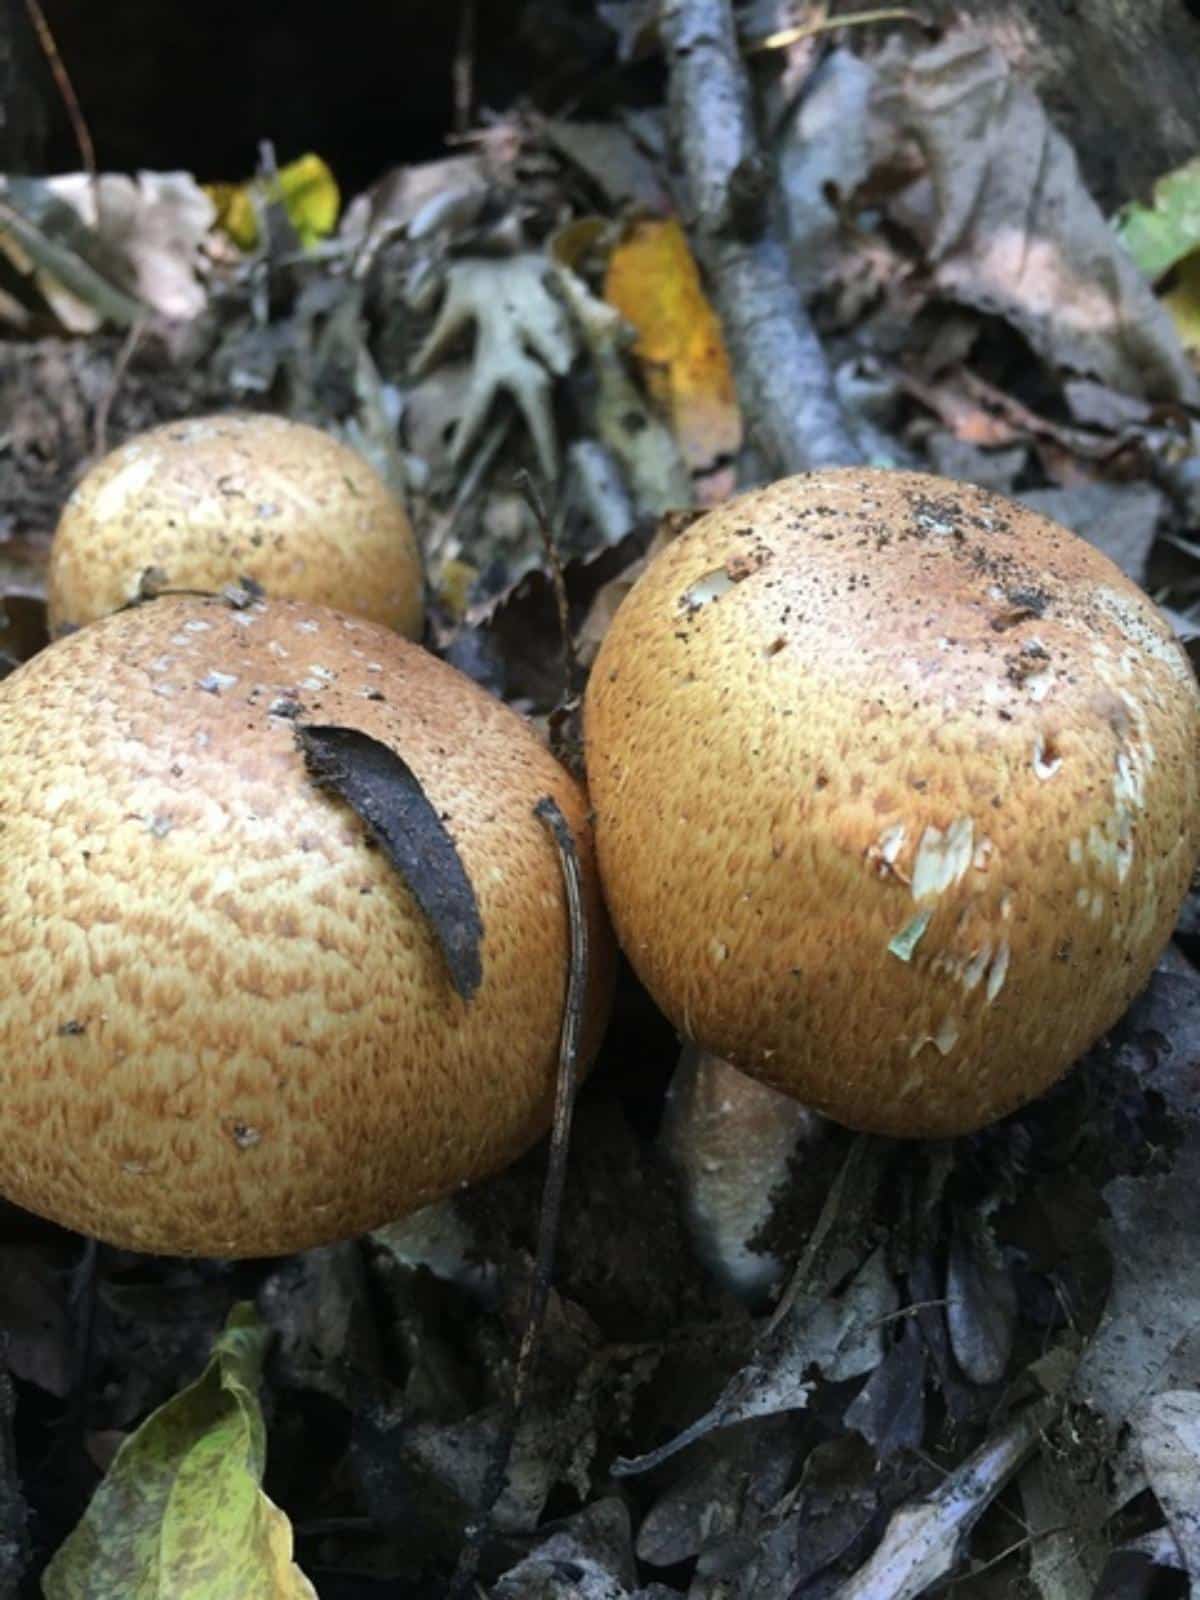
(182, 1514)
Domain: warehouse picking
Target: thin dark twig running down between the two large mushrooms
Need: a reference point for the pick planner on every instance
(553, 1191)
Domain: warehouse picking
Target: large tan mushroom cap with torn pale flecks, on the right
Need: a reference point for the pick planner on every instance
(895, 791)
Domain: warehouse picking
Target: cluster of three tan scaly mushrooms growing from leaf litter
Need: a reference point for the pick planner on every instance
(895, 798)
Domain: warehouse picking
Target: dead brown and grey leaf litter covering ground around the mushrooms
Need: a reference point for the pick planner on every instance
(986, 1351)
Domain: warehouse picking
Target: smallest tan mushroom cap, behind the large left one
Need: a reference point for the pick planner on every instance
(207, 502)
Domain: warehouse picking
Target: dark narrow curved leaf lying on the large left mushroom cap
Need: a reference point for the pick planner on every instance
(388, 796)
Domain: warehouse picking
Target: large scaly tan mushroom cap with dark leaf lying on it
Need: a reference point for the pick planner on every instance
(226, 1028)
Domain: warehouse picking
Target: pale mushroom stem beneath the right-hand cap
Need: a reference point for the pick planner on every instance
(730, 1142)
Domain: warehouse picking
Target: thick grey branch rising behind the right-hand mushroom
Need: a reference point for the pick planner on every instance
(778, 361)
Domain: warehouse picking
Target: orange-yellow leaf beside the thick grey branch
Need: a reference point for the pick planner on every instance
(655, 284)
